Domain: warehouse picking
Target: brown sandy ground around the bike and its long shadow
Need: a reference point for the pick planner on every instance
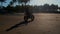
(44, 23)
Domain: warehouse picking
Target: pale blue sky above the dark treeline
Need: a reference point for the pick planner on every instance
(39, 2)
